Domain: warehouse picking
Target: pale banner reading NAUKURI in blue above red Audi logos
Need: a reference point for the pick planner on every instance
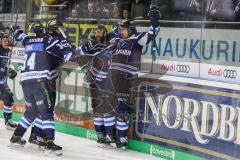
(211, 54)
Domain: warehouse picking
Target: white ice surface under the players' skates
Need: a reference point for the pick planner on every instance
(74, 148)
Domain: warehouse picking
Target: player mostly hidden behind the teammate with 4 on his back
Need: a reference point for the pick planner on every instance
(53, 29)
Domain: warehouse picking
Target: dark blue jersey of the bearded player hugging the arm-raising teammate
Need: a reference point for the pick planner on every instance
(96, 58)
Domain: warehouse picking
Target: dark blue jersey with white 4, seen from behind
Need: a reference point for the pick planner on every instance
(39, 55)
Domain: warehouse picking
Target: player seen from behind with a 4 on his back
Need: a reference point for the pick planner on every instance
(34, 77)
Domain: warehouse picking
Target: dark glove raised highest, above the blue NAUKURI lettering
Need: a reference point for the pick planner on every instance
(154, 15)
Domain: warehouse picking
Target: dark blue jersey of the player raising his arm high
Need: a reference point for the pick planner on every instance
(127, 54)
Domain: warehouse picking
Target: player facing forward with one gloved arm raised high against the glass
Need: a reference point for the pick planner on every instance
(126, 62)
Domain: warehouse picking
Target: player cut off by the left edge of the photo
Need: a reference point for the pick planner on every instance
(6, 94)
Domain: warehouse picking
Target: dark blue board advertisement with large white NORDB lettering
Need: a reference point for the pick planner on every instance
(200, 119)
